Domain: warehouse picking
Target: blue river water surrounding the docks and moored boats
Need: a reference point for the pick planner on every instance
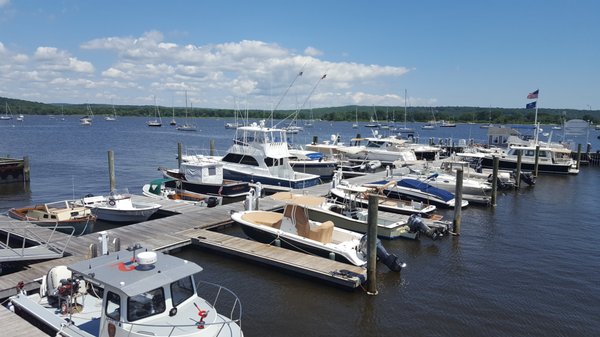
(529, 267)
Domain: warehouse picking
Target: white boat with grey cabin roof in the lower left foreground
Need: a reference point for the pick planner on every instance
(134, 293)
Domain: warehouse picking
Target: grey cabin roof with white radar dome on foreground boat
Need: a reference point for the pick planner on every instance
(131, 275)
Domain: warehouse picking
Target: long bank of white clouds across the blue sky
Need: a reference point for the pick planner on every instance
(213, 74)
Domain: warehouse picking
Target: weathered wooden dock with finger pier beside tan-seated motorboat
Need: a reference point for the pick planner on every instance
(187, 225)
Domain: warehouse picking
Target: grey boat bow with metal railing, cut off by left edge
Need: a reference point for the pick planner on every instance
(36, 242)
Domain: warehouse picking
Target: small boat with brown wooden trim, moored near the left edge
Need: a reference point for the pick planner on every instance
(60, 213)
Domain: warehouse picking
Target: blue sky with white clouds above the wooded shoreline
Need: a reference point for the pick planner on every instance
(250, 54)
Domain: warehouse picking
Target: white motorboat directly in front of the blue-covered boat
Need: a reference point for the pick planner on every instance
(358, 194)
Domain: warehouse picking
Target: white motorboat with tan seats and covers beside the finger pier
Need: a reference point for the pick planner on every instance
(293, 229)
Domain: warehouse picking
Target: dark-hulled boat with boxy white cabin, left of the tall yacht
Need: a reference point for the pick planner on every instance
(204, 175)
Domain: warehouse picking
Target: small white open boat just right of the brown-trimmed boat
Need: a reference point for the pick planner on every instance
(118, 207)
